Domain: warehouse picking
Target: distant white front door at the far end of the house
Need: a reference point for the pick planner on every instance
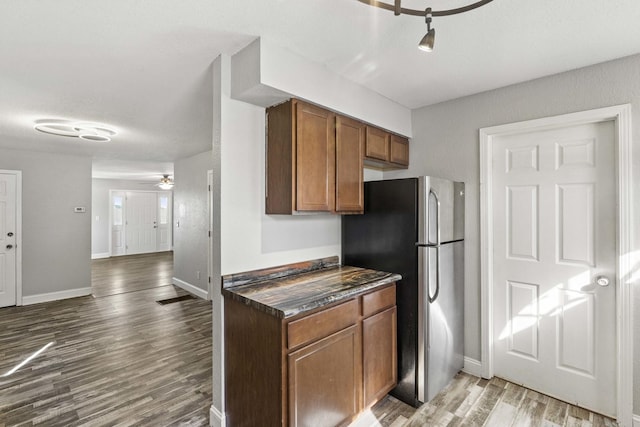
(141, 222)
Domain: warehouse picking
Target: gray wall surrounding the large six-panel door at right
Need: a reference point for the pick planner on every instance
(446, 144)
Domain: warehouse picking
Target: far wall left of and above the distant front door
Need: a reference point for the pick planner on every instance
(100, 209)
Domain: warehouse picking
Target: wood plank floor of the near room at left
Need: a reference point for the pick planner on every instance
(119, 360)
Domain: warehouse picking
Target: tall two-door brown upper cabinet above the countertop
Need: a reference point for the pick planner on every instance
(314, 160)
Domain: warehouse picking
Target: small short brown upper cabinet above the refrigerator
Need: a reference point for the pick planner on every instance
(385, 150)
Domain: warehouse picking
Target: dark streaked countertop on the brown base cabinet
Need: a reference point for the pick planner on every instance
(286, 291)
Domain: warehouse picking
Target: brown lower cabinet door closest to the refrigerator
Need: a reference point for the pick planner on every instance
(379, 355)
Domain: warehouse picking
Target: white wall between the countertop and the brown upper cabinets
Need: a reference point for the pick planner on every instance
(250, 238)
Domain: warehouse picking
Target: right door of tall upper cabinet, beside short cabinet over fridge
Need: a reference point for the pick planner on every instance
(349, 165)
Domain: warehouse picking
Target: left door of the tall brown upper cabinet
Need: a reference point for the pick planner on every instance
(315, 158)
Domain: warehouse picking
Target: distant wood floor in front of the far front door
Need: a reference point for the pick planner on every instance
(117, 275)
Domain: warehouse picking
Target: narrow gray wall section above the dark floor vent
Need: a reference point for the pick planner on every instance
(190, 209)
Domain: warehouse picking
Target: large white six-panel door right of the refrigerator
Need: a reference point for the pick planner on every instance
(554, 231)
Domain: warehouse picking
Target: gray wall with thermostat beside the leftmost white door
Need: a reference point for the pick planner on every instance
(56, 242)
